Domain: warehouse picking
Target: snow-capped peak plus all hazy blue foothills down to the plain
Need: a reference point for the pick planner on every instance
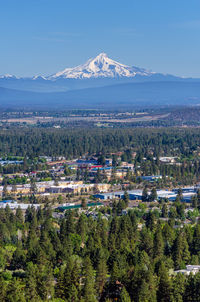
(100, 82)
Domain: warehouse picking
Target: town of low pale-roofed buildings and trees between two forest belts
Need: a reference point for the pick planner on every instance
(92, 181)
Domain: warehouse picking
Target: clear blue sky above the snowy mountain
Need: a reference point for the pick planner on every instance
(45, 36)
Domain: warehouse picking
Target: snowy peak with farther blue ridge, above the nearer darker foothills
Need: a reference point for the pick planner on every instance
(100, 71)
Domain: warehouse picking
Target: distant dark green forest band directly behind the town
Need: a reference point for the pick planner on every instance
(75, 142)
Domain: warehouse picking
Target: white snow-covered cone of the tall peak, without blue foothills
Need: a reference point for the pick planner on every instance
(101, 66)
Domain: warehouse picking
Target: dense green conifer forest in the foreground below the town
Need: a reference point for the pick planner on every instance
(77, 258)
